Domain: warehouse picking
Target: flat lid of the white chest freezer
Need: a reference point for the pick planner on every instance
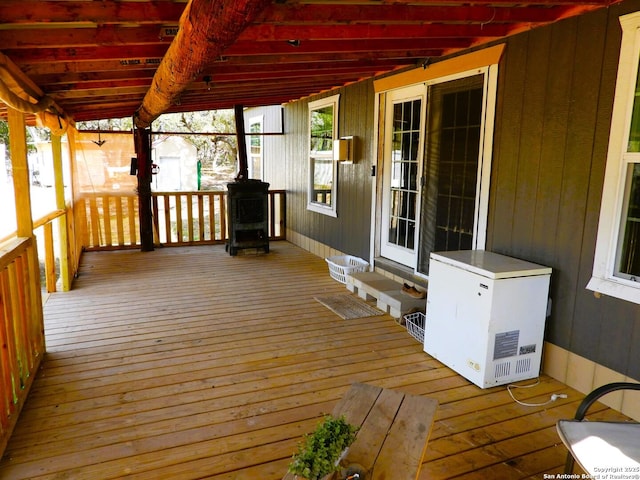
(489, 264)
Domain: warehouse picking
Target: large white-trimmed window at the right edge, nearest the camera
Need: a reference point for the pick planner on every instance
(616, 269)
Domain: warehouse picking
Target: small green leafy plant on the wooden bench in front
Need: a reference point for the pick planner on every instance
(320, 451)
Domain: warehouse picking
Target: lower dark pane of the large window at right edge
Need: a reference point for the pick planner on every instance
(630, 249)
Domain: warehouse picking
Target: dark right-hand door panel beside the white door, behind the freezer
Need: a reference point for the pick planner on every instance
(452, 152)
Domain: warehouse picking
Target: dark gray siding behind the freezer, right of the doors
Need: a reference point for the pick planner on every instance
(555, 96)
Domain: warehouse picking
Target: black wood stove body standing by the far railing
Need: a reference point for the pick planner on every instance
(248, 207)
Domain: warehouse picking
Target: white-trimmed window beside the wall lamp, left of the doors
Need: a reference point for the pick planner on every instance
(323, 170)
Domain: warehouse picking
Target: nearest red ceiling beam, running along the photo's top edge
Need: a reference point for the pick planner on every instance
(106, 11)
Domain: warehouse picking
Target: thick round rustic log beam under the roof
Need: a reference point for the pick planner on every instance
(207, 29)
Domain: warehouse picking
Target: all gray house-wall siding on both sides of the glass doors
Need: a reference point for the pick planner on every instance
(555, 95)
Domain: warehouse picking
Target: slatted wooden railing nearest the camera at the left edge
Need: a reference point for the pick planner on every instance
(21, 329)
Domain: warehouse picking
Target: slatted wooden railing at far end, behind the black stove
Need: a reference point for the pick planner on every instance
(179, 218)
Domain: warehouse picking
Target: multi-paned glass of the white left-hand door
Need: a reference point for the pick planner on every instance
(404, 172)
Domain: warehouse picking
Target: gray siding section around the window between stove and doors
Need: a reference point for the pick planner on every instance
(350, 231)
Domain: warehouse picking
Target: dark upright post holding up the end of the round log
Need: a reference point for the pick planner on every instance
(143, 153)
